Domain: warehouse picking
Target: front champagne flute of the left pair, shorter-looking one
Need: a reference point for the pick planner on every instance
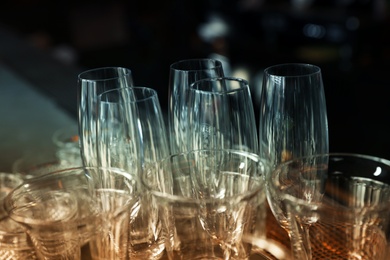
(118, 139)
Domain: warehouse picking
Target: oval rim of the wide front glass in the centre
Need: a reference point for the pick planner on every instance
(191, 200)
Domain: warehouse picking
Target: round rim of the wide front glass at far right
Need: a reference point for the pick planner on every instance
(320, 205)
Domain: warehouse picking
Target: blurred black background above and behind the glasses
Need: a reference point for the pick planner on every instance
(349, 40)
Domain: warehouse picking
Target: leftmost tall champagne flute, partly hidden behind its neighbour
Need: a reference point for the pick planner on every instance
(92, 83)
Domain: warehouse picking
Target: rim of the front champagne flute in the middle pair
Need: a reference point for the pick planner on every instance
(243, 85)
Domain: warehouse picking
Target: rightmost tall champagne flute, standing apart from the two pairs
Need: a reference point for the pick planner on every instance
(293, 119)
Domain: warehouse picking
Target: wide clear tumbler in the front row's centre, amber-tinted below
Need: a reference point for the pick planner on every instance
(208, 200)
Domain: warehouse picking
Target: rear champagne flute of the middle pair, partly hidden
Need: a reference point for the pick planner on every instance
(182, 74)
